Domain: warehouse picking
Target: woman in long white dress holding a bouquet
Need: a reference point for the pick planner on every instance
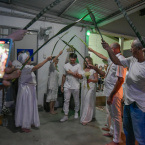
(88, 92)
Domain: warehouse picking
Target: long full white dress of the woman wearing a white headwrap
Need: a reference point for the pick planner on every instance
(26, 105)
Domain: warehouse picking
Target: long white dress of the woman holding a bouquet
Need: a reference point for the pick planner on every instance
(88, 97)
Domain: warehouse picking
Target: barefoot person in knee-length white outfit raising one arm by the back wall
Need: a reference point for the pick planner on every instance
(53, 83)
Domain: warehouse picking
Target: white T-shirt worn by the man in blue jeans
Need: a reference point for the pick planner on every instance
(135, 82)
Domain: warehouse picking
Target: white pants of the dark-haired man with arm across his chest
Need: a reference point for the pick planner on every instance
(67, 95)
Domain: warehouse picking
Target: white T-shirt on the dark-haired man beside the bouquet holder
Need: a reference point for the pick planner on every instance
(72, 82)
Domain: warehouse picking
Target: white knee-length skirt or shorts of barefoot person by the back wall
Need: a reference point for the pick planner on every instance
(51, 95)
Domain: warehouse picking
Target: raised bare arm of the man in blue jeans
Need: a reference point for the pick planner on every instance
(112, 56)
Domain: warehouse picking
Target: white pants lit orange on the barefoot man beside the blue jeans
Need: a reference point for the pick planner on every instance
(116, 121)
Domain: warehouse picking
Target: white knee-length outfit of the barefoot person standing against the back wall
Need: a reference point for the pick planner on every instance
(53, 78)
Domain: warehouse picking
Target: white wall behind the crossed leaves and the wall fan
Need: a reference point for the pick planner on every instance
(47, 49)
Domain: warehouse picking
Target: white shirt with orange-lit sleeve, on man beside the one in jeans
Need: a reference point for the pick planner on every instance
(113, 72)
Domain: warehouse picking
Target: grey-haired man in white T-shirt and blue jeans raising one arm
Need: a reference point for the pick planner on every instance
(134, 110)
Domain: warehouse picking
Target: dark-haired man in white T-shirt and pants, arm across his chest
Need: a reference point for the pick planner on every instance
(71, 85)
